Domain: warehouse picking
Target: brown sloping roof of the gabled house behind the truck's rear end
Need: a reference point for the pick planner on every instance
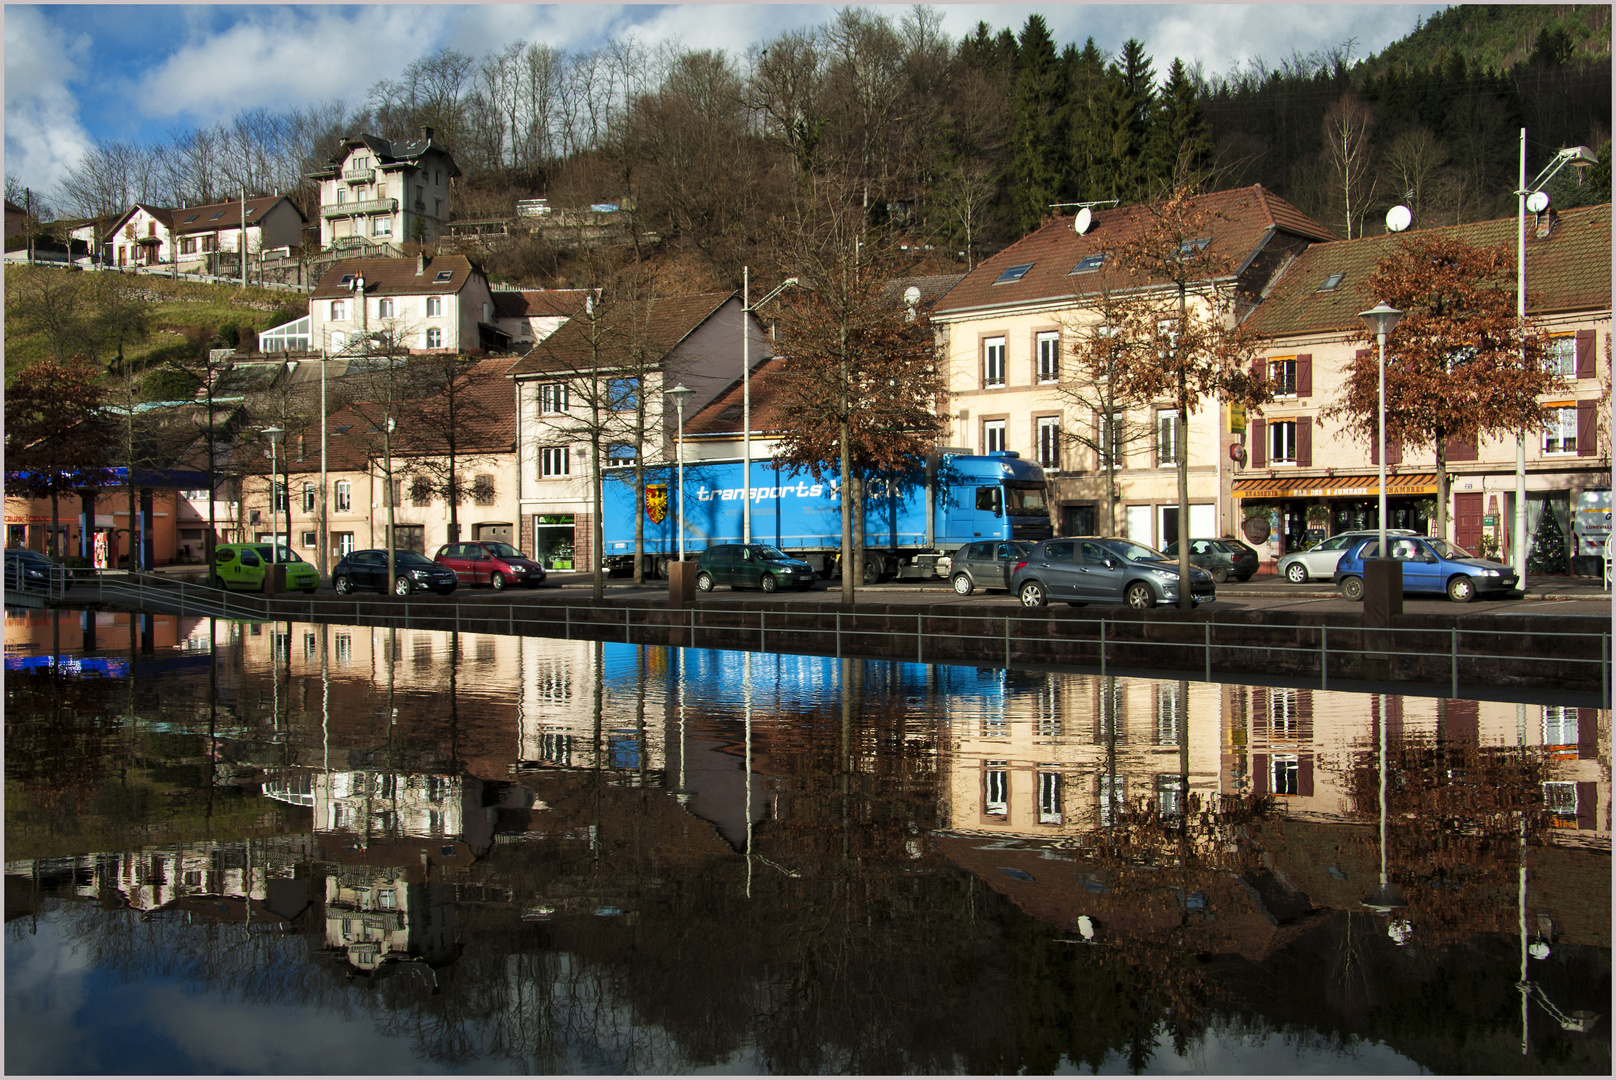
(657, 324)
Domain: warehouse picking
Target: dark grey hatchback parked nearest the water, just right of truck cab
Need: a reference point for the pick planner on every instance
(1105, 570)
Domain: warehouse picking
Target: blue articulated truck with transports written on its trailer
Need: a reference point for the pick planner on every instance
(911, 521)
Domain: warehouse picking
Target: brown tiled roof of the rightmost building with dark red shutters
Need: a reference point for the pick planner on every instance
(1567, 271)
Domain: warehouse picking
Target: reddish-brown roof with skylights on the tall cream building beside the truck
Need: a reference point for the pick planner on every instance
(1245, 219)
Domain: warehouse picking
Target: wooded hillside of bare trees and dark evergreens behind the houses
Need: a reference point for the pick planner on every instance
(961, 145)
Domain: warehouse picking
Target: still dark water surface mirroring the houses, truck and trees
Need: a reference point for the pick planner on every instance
(574, 856)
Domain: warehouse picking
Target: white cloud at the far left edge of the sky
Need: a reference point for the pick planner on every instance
(43, 132)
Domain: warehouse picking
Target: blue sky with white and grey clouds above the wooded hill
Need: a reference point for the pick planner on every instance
(82, 74)
